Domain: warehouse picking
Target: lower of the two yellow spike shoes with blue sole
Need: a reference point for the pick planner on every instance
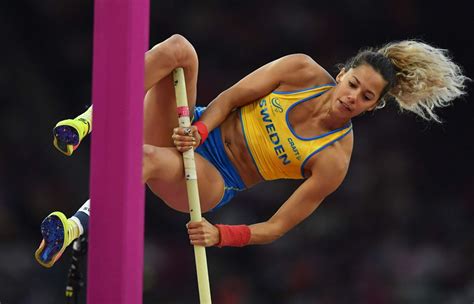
(58, 233)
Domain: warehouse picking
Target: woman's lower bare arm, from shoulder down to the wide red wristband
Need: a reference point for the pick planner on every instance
(327, 175)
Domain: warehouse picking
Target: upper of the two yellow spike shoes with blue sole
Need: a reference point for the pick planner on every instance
(68, 134)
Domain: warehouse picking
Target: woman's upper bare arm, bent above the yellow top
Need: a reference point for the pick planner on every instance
(297, 70)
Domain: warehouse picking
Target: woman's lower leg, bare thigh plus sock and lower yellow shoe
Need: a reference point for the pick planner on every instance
(163, 171)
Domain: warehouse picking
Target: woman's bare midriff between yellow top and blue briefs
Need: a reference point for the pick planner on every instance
(237, 151)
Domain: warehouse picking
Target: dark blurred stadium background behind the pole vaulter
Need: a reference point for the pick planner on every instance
(399, 230)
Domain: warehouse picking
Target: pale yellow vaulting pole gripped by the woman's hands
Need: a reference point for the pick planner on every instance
(192, 186)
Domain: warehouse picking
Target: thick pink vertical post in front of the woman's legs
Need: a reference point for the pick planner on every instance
(116, 230)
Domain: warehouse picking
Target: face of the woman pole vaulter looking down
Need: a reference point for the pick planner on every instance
(358, 90)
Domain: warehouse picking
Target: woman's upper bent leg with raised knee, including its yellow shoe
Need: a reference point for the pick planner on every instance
(159, 106)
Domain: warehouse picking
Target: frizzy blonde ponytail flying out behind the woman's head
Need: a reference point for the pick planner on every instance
(426, 77)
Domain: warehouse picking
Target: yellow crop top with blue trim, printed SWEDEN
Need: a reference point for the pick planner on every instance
(278, 152)
